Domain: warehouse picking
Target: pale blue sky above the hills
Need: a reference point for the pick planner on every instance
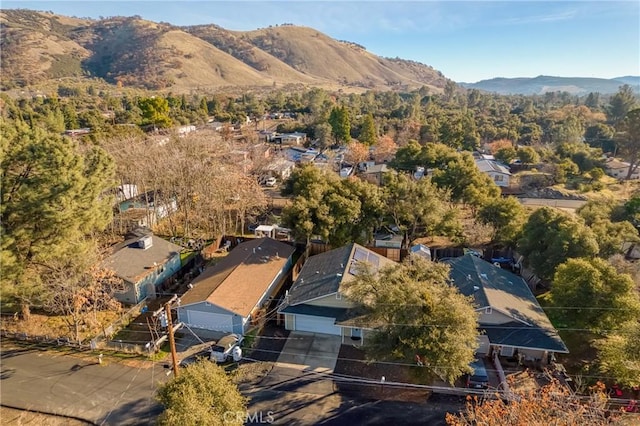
(467, 41)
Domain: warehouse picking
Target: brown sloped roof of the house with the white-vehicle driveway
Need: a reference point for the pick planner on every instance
(239, 280)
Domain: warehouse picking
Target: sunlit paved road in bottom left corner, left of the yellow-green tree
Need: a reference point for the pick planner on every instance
(108, 394)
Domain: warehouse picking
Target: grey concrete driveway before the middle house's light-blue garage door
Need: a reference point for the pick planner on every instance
(310, 352)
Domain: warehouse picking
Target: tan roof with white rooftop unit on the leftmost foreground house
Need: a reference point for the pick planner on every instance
(133, 263)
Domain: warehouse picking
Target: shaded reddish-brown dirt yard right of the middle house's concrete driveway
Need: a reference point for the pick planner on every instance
(351, 362)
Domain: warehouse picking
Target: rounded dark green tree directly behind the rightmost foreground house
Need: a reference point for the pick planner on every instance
(550, 237)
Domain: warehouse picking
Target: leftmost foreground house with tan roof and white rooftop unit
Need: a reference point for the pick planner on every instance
(146, 263)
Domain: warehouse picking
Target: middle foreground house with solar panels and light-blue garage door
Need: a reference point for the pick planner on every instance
(315, 302)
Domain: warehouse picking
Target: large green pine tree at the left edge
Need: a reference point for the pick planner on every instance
(53, 195)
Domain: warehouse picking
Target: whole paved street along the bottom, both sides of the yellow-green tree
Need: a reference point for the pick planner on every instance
(116, 394)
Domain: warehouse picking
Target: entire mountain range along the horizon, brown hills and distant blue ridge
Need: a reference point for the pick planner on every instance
(41, 47)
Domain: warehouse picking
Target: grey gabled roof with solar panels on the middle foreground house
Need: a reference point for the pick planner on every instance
(323, 273)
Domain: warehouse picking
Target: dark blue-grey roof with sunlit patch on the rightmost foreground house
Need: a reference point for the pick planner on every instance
(509, 294)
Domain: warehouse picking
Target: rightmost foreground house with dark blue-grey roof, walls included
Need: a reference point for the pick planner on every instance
(511, 320)
